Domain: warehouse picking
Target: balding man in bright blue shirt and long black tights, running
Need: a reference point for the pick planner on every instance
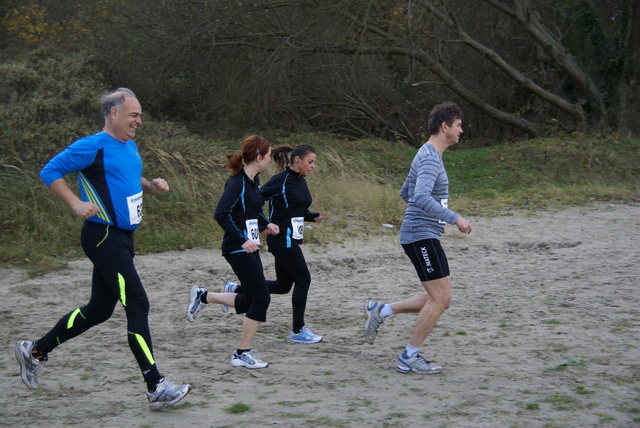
(111, 186)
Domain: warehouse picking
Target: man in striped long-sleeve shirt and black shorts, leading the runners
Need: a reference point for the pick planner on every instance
(426, 192)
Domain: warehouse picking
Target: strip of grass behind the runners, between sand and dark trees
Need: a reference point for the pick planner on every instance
(356, 185)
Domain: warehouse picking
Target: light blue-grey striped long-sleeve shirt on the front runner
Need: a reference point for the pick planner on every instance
(426, 192)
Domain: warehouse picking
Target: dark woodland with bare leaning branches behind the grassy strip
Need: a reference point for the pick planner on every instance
(355, 68)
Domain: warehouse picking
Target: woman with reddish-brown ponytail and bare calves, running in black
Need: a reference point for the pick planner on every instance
(239, 213)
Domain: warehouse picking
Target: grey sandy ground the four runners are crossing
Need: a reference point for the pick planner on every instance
(543, 332)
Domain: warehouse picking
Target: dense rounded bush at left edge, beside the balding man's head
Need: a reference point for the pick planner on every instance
(47, 100)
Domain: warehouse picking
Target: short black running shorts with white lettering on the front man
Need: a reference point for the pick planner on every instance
(428, 258)
